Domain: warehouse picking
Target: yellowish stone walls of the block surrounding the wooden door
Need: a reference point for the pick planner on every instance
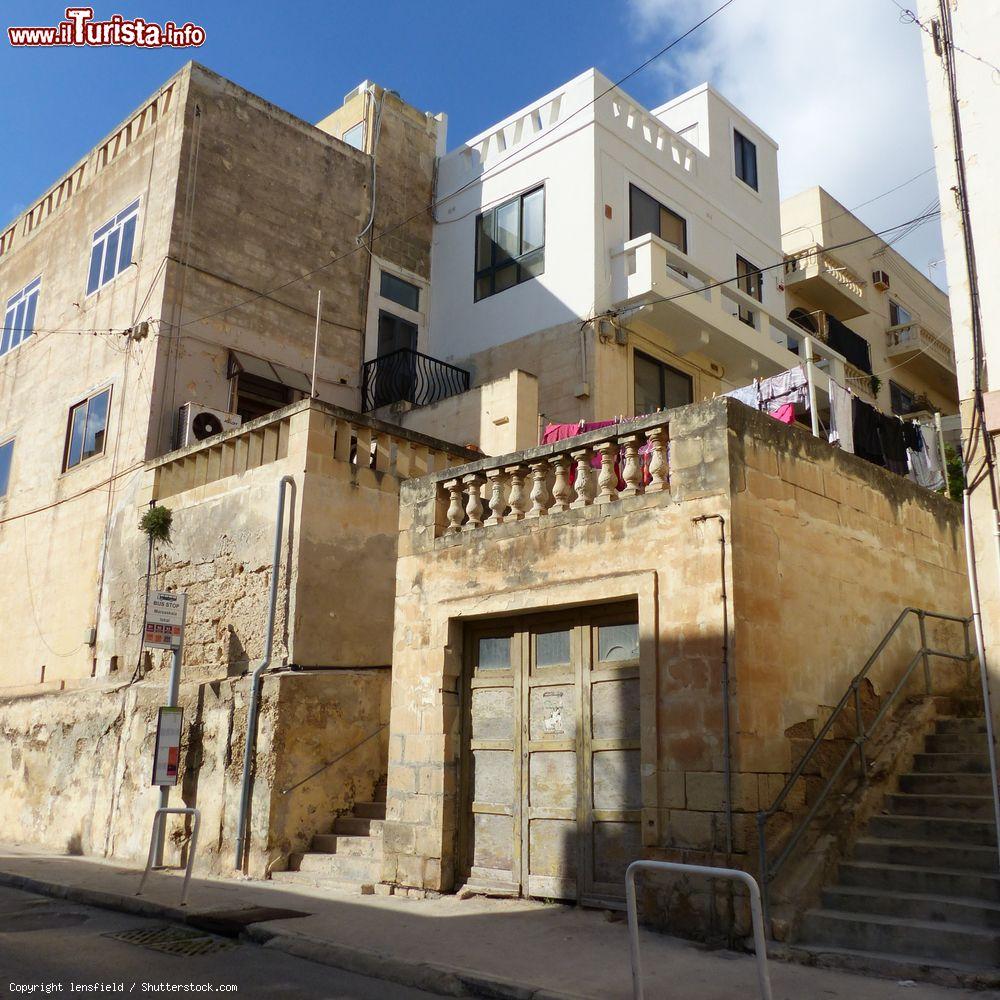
(821, 553)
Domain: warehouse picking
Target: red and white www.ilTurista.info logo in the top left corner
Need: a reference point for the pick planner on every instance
(80, 28)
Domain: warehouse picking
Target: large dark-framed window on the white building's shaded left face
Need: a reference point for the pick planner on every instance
(510, 243)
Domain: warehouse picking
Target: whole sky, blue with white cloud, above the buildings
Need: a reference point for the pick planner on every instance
(305, 56)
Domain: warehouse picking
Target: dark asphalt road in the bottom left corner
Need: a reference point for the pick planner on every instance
(48, 945)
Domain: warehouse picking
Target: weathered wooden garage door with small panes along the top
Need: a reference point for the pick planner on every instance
(551, 754)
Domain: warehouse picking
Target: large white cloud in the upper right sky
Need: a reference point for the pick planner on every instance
(840, 87)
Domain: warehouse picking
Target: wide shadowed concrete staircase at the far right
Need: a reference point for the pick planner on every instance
(922, 888)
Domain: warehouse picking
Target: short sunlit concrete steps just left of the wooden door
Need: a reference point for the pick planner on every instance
(350, 858)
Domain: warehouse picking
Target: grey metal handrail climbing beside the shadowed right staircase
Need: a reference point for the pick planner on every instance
(769, 870)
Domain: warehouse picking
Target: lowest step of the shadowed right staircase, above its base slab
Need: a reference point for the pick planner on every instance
(875, 932)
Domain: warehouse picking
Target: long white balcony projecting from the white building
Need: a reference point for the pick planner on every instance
(698, 314)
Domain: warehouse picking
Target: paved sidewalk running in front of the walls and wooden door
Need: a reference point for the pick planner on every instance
(498, 948)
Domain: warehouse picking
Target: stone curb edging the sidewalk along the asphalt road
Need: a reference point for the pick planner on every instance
(440, 979)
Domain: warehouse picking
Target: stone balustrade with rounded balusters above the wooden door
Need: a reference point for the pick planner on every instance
(599, 468)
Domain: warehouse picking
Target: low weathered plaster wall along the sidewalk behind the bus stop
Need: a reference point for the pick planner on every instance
(75, 766)
